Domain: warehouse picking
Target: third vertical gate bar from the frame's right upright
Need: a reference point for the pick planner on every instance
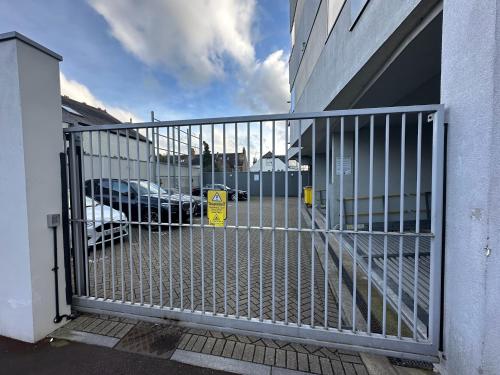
(386, 221)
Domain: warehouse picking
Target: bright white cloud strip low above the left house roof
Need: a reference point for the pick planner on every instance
(78, 91)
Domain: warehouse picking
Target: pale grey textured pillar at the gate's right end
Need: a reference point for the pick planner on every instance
(471, 93)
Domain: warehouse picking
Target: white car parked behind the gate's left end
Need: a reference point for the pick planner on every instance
(103, 223)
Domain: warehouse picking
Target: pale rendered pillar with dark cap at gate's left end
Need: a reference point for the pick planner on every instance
(30, 188)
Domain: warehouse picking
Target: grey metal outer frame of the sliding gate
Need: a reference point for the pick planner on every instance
(332, 337)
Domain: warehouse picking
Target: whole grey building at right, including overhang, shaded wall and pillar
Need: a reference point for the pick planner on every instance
(366, 54)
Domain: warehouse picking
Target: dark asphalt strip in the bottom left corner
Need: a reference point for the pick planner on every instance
(64, 357)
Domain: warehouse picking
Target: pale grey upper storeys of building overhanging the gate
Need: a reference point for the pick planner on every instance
(332, 61)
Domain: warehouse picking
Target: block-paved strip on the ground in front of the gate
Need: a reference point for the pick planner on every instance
(172, 340)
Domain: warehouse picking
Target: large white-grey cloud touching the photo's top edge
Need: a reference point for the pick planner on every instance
(188, 38)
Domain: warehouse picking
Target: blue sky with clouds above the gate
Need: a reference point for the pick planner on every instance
(180, 58)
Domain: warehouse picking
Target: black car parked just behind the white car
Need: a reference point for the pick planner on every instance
(142, 192)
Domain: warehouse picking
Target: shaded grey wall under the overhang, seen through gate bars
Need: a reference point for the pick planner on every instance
(378, 172)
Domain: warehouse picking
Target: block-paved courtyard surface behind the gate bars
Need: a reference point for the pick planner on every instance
(186, 268)
